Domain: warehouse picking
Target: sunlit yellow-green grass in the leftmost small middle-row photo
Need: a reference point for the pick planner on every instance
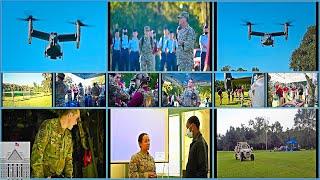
(42, 101)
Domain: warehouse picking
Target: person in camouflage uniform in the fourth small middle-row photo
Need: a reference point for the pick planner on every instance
(190, 96)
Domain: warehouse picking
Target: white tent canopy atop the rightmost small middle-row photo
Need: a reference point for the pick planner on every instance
(290, 77)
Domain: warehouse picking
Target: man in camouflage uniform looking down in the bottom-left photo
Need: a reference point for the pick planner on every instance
(52, 149)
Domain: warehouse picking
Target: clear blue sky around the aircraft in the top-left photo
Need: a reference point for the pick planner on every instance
(19, 56)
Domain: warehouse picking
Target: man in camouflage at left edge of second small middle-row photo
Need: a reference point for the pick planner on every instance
(61, 90)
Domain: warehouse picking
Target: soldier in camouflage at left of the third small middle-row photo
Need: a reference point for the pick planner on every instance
(117, 96)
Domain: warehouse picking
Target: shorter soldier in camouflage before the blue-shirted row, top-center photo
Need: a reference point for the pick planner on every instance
(146, 47)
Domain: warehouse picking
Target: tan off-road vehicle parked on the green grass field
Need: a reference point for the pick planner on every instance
(243, 151)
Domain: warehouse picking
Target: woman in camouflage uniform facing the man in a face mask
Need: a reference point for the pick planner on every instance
(142, 164)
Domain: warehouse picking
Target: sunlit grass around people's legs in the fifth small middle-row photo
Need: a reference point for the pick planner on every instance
(235, 103)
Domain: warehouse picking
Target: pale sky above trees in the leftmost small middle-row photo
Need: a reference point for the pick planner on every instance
(22, 78)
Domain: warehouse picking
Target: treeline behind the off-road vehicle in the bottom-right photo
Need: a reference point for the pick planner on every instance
(258, 131)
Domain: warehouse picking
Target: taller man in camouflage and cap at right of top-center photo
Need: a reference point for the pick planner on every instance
(186, 38)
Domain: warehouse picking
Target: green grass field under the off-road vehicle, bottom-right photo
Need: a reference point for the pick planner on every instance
(298, 164)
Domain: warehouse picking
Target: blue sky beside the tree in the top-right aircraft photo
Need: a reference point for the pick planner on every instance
(236, 50)
